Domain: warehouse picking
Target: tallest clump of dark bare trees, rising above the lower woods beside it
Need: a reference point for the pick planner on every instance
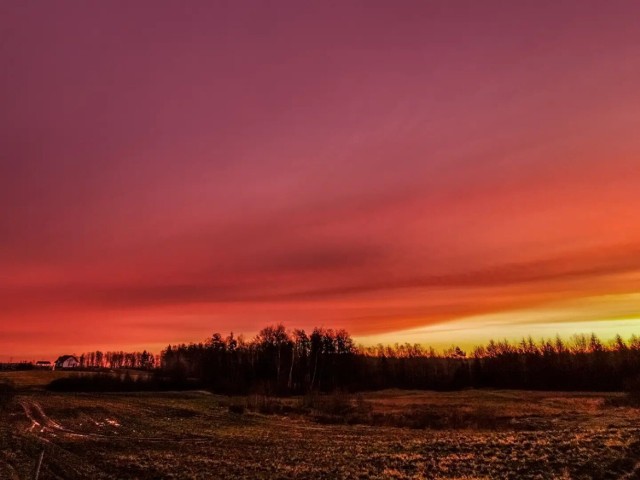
(275, 361)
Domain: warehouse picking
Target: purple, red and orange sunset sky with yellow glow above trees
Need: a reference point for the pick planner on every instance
(436, 172)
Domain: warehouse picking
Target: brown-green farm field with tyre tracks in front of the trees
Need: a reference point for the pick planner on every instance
(389, 434)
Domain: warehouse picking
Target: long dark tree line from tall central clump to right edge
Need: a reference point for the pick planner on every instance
(278, 361)
